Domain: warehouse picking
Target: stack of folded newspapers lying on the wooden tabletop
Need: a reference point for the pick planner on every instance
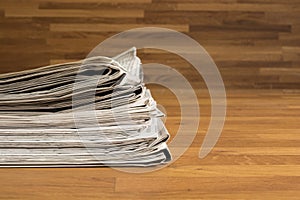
(94, 112)
